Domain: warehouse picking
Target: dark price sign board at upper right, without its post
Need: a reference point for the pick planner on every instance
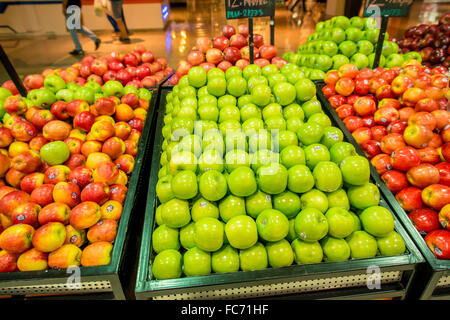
(389, 8)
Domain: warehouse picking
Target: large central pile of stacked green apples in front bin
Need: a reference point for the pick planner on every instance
(253, 175)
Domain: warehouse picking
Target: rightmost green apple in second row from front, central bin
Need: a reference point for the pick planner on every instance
(377, 221)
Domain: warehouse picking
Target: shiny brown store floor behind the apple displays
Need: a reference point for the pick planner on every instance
(185, 24)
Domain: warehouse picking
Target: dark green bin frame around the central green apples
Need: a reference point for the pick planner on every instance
(347, 279)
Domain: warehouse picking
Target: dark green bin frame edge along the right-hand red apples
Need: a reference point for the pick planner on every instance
(432, 280)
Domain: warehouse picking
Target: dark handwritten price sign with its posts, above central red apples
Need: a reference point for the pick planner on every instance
(238, 9)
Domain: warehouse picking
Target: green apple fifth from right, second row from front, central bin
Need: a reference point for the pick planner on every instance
(241, 232)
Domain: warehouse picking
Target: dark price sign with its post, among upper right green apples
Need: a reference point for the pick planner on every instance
(384, 9)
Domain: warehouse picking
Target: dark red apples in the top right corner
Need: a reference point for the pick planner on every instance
(431, 40)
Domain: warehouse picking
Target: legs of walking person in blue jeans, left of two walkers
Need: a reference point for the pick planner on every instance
(70, 8)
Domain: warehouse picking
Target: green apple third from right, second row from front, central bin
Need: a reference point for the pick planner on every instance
(311, 225)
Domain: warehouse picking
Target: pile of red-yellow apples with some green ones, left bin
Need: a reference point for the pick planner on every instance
(65, 163)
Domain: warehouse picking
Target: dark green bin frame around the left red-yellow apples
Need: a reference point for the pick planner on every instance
(98, 282)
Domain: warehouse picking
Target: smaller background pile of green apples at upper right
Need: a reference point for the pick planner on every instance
(341, 40)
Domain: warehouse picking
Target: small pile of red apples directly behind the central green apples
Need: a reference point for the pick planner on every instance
(229, 49)
